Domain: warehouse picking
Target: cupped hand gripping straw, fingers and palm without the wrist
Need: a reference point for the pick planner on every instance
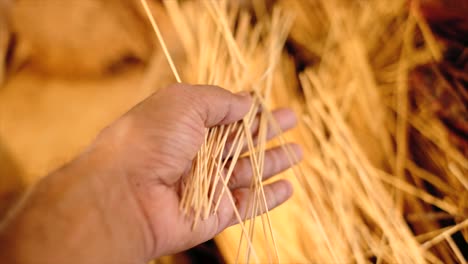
(163, 135)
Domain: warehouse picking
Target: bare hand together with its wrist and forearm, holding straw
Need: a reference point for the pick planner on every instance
(118, 202)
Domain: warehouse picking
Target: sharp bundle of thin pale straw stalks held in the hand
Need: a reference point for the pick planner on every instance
(242, 58)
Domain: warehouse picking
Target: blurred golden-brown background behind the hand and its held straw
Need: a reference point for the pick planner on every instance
(392, 74)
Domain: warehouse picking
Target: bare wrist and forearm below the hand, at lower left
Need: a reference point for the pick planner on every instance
(83, 213)
